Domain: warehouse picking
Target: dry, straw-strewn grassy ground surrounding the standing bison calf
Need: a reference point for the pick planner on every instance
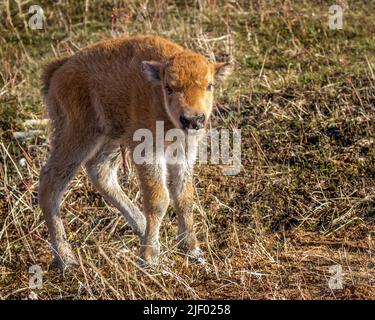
(298, 221)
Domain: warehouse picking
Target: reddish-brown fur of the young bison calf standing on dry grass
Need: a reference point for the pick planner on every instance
(96, 100)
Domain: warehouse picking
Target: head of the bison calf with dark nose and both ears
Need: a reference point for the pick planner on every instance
(187, 83)
